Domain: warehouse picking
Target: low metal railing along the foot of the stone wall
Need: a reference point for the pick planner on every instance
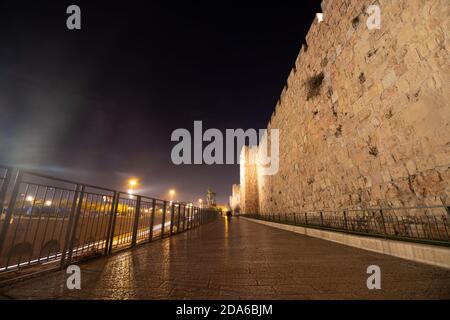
(428, 224)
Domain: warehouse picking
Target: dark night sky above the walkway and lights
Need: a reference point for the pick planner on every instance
(99, 105)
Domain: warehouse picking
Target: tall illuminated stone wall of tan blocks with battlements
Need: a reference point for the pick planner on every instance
(376, 132)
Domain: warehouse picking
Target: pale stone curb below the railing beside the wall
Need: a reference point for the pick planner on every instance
(431, 255)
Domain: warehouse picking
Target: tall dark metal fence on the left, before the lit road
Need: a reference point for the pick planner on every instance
(49, 220)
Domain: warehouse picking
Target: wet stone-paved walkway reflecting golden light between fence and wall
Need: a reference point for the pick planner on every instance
(240, 260)
